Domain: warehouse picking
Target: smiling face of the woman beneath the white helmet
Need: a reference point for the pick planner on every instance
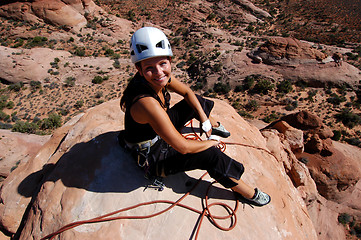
(156, 71)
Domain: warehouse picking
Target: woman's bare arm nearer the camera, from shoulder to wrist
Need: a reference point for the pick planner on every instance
(148, 110)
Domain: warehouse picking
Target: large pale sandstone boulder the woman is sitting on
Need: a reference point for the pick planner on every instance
(93, 176)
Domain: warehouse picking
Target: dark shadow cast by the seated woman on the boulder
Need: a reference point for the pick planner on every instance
(101, 165)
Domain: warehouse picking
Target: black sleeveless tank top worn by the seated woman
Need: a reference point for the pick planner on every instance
(137, 89)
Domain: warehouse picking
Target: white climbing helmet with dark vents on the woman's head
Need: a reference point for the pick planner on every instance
(149, 42)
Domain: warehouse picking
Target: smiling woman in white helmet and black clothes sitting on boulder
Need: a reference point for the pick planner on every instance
(152, 128)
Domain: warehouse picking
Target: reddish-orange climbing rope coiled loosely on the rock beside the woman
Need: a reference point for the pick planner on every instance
(205, 212)
